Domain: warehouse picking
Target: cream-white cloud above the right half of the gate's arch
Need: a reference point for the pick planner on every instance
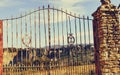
(71, 6)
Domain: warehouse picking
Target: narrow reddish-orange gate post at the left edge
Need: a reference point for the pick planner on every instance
(1, 46)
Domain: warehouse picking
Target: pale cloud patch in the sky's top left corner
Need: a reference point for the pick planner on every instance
(9, 3)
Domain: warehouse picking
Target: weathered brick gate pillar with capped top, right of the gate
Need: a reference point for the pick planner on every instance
(106, 26)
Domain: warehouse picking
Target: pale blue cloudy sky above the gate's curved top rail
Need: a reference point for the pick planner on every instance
(10, 8)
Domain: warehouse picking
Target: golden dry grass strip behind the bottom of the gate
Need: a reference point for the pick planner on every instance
(71, 70)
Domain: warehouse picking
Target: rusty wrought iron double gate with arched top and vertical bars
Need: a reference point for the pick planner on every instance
(48, 41)
